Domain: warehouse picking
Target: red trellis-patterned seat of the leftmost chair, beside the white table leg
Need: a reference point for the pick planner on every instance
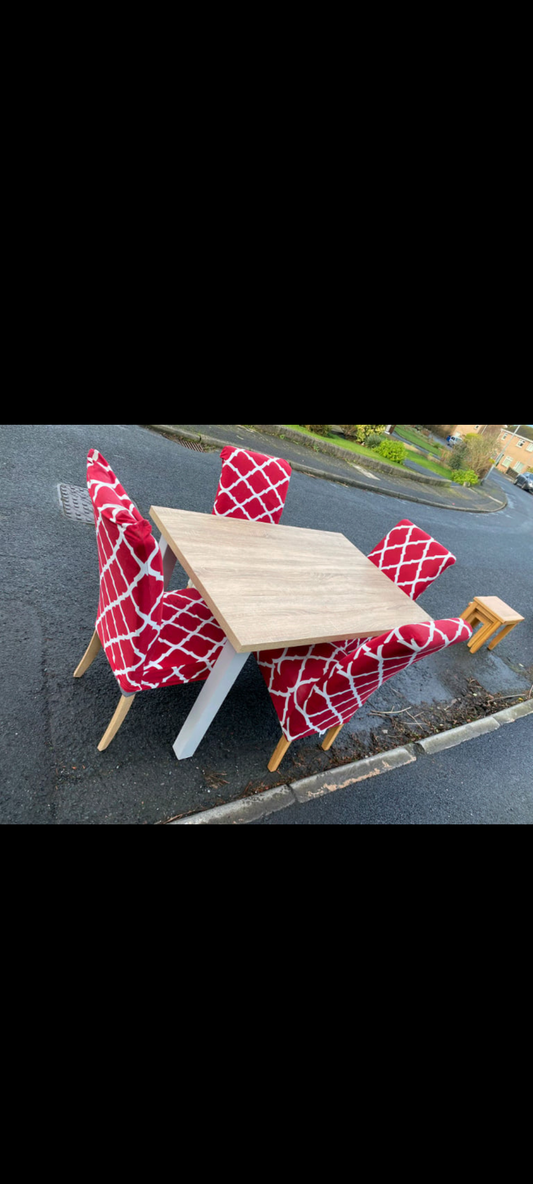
(189, 644)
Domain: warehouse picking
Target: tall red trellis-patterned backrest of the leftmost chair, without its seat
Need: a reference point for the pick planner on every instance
(131, 575)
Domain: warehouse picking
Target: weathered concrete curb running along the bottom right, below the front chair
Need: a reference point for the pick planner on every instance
(251, 809)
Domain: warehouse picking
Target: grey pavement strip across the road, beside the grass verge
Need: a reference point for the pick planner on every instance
(319, 459)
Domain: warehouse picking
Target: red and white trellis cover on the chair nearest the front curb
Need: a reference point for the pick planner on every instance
(314, 688)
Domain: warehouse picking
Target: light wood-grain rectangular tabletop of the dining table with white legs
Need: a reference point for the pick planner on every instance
(282, 585)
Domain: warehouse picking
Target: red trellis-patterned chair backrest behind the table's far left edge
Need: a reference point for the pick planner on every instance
(253, 486)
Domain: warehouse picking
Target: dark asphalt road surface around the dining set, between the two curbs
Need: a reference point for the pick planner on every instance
(52, 724)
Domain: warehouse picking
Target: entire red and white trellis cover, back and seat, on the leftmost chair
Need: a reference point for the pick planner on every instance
(152, 639)
